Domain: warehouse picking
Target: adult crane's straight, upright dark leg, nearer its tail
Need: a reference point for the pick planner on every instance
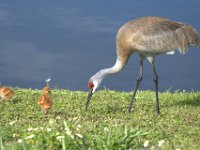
(155, 78)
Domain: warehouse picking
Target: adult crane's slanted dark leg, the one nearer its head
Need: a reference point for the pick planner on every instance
(139, 79)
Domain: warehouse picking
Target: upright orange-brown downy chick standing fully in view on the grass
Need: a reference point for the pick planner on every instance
(45, 101)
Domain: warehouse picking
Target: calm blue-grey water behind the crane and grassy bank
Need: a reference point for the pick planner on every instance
(69, 41)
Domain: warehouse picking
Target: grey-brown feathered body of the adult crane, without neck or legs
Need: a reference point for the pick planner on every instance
(154, 35)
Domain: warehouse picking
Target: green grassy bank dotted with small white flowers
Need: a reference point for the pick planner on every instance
(106, 125)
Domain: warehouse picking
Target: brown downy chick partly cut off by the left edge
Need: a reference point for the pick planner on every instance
(6, 93)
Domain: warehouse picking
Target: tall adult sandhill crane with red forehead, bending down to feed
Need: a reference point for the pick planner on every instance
(148, 37)
